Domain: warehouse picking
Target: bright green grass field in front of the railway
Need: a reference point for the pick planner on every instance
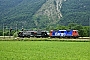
(44, 50)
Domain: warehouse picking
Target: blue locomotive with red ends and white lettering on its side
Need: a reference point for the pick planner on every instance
(64, 33)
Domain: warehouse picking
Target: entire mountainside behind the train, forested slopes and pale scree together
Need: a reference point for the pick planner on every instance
(42, 13)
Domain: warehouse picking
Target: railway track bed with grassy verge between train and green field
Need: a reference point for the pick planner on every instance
(7, 38)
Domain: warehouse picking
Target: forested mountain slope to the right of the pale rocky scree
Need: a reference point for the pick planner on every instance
(76, 11)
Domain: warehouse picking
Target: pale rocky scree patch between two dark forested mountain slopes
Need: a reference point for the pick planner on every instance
(49, 13)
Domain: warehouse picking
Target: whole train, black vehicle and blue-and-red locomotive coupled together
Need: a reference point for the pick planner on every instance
(52, 33)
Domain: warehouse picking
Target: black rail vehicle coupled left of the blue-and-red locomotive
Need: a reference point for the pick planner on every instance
(37, 34)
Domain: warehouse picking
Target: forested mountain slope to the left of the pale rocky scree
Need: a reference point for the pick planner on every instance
(19, 12)
